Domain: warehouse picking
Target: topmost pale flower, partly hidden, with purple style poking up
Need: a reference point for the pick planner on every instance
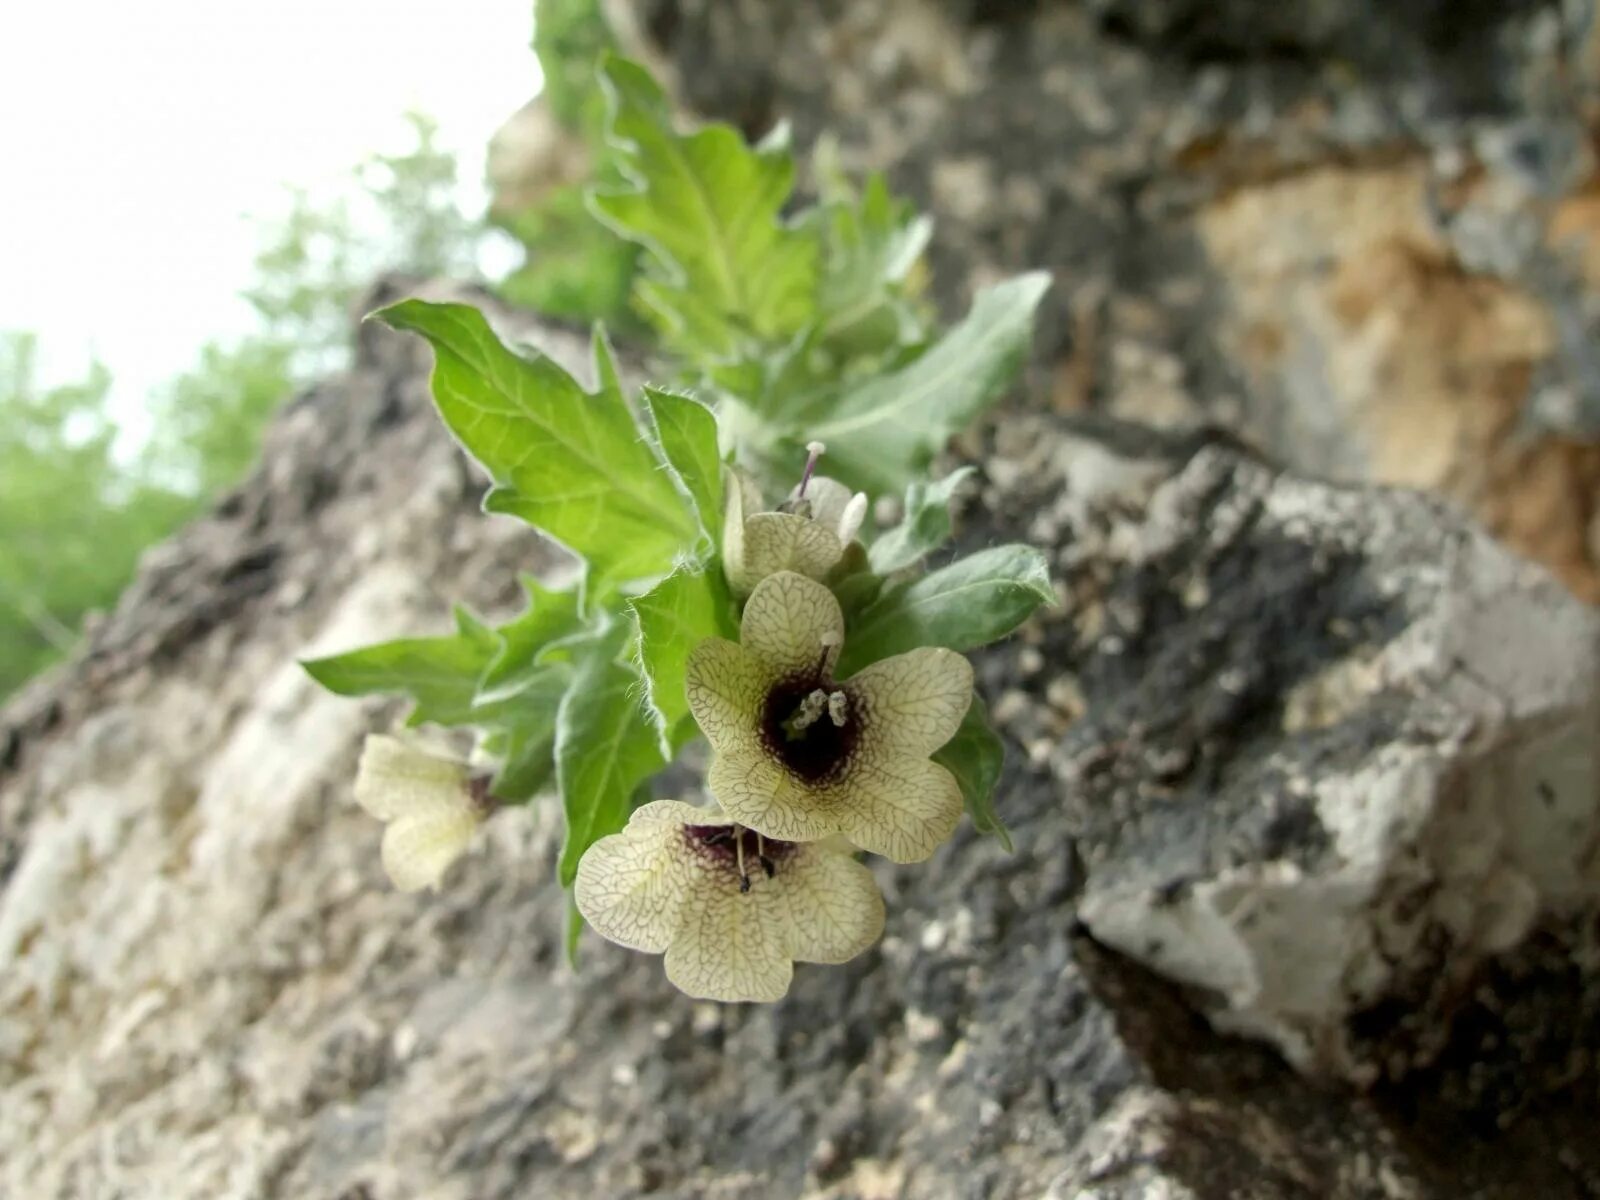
(809, 534)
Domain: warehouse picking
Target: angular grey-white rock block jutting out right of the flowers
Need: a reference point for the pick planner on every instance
(1340, 751)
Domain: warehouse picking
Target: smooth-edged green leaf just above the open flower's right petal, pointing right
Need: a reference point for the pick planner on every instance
(969, 604)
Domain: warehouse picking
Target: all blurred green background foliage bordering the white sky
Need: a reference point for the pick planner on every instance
(79, 505)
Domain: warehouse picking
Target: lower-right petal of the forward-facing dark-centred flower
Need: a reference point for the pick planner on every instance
(900, 807)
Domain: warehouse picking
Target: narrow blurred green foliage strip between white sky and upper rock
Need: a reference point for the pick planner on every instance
(575, 268)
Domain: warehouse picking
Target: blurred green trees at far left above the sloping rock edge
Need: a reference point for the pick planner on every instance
(78, 510)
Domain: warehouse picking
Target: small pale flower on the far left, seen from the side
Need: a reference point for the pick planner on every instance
(431, 807)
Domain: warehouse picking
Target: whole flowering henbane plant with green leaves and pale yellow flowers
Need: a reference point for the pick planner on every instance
(734, 586)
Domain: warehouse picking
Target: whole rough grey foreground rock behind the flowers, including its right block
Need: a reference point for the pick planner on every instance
(210, 991)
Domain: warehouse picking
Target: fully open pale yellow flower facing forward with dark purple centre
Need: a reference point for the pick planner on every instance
(799, 756)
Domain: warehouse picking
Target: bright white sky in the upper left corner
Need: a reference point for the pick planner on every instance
(138, 137)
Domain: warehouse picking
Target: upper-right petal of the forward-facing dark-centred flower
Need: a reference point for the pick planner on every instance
(913, 703)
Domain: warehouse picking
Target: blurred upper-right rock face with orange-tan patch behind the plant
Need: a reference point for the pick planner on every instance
(1366, 238)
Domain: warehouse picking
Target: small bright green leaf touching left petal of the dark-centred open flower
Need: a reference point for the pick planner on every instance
(674, 617)
